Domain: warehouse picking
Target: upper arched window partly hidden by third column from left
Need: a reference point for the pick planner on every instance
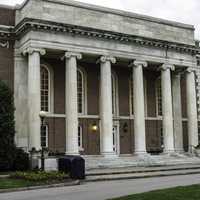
(114, 94)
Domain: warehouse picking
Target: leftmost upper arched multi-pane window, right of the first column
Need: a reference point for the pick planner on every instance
(45, 88)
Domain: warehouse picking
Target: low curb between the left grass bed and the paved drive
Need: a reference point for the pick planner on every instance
(72, 183)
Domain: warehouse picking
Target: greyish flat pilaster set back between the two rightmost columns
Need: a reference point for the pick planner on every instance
(178, 127)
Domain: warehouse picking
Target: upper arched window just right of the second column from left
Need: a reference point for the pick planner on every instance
(81, 91)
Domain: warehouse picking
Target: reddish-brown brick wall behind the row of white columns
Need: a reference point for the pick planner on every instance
(91, 140)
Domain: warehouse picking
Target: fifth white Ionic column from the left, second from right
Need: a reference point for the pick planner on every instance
(168, 132)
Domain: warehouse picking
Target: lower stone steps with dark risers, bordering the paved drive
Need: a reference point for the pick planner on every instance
(136, 173)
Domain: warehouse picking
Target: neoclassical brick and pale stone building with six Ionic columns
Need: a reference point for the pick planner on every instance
(111, 82)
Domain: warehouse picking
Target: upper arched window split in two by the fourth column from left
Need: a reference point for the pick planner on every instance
(131, 95)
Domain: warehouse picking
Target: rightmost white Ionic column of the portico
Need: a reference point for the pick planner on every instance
(191, 109)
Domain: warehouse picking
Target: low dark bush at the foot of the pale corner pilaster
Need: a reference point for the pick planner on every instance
(21, 161)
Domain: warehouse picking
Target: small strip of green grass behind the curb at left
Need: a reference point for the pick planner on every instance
(6, 183)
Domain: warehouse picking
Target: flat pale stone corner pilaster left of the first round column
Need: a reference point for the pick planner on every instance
(21, 100)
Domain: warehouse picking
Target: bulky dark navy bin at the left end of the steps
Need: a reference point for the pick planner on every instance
(74, 165)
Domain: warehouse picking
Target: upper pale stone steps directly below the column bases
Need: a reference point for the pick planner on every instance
(93, 163)
